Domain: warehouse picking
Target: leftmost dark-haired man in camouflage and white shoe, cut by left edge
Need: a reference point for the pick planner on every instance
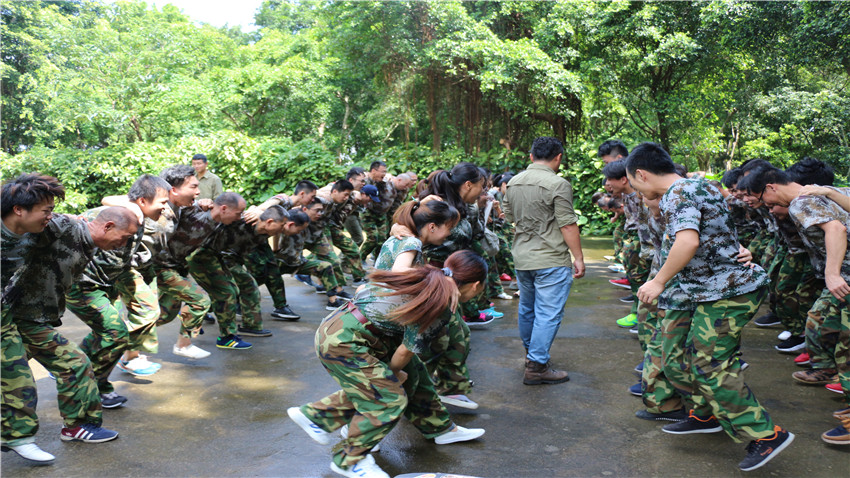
(27, 204)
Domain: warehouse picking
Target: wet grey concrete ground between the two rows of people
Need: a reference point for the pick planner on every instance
(226, 415)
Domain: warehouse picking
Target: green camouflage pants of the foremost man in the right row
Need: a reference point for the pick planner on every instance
(707, 371)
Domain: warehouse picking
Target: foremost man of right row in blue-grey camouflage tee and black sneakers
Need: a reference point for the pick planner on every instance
(700, 268)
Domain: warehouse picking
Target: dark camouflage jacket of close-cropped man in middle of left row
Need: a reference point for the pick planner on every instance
(192, 228)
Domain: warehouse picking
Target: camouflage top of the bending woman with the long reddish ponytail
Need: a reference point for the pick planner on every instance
(376, 307)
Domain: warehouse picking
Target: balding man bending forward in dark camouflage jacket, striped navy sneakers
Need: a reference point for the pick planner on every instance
(54, 259)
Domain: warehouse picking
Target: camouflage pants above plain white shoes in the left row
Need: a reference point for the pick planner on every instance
(174, 290)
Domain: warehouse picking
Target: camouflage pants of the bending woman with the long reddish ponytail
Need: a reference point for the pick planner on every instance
(372, 399)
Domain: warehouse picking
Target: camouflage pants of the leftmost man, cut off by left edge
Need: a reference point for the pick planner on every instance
(19, 395)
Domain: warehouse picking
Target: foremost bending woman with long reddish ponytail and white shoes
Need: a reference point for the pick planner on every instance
(369, 347)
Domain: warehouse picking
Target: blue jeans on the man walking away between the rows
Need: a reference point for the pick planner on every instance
(542, 296)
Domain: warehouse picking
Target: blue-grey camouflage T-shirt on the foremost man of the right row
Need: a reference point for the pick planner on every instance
(714, 272)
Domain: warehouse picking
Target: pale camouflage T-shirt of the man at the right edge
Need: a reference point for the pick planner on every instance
(808, 213)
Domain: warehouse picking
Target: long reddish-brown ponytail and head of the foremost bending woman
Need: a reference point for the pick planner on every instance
(432, 290)
